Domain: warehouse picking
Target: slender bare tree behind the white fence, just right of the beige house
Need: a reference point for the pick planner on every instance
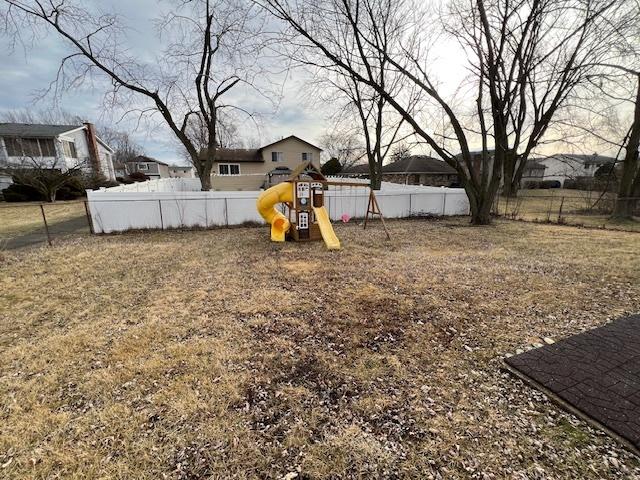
(358, 105)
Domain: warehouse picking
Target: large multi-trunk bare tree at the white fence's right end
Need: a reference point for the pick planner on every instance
(499, 91)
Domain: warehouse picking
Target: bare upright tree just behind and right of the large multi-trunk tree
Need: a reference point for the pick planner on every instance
(529, 56)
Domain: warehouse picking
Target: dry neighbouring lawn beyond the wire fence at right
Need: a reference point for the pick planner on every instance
(573, 207)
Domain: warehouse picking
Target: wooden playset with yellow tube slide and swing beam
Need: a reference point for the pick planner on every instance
(305, 217)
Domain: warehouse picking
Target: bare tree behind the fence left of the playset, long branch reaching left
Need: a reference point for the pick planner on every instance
(210, 48)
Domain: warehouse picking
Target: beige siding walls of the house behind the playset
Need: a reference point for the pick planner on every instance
(253, 174)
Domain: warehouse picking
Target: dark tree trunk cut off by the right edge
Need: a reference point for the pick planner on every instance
(625, 202)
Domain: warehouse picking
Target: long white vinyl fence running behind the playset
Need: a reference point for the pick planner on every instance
(115, 210)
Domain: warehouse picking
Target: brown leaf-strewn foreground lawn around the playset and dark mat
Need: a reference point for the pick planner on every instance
(217, 354)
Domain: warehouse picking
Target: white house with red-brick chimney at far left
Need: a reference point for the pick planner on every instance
(54, 146)
